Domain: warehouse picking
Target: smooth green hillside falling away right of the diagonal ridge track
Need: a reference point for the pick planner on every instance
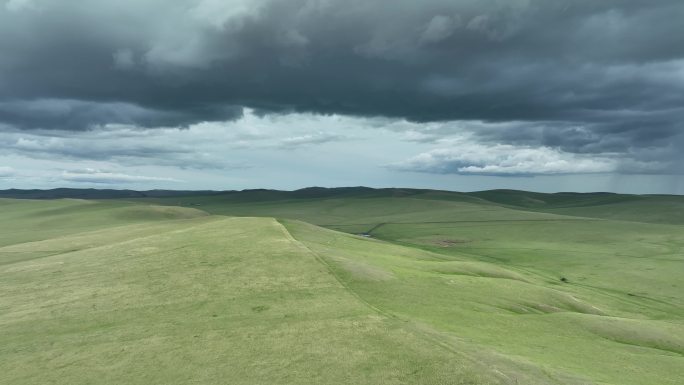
(573, 333)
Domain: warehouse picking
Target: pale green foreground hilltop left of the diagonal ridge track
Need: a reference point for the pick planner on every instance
(204, 300)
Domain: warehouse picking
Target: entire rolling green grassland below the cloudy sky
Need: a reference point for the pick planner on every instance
(495, 287)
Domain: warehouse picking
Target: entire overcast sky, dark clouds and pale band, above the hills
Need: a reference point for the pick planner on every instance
(541, 95)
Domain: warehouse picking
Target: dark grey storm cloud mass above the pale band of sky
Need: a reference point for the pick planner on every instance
(584, 76)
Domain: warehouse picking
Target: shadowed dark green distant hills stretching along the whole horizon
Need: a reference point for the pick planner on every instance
(668, 209)
